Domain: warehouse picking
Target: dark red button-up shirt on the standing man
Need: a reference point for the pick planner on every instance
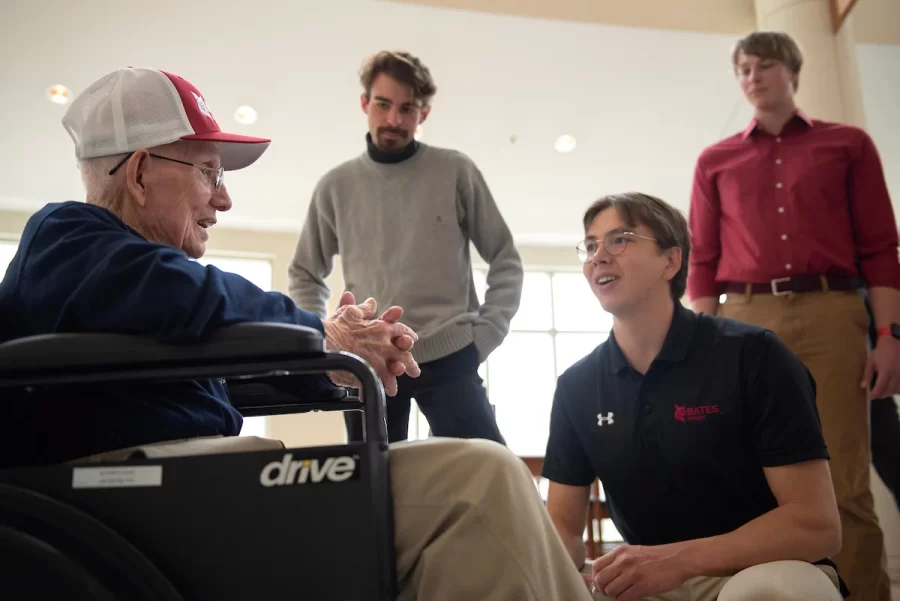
(812, 200)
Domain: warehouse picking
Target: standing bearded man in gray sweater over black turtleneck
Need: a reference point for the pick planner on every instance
(401, 216)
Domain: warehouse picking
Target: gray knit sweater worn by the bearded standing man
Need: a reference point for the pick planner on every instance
(402, 231)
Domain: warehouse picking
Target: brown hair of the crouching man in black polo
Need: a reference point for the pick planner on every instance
(667, 223)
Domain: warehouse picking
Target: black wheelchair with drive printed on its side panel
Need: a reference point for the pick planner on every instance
(299, 523)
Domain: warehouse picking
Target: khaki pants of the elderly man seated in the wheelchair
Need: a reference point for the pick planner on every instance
(469, 522)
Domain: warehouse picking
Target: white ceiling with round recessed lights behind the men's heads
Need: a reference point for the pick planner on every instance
(641, 103)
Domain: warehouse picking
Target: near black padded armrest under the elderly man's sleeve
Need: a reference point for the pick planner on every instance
(239, 342)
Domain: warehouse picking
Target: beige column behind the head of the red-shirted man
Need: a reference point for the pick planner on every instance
(829, 83)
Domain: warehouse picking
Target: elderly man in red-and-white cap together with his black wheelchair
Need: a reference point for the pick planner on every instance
(126, 369)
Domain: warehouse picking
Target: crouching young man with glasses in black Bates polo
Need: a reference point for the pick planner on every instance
(704, 432)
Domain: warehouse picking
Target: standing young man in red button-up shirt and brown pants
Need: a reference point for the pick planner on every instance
(790, 218)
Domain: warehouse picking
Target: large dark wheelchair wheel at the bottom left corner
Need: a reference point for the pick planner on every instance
(50, 550)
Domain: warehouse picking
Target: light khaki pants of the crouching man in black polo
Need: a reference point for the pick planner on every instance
(776, 581)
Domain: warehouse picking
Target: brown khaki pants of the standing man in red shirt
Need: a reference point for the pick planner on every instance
(827, 331)
